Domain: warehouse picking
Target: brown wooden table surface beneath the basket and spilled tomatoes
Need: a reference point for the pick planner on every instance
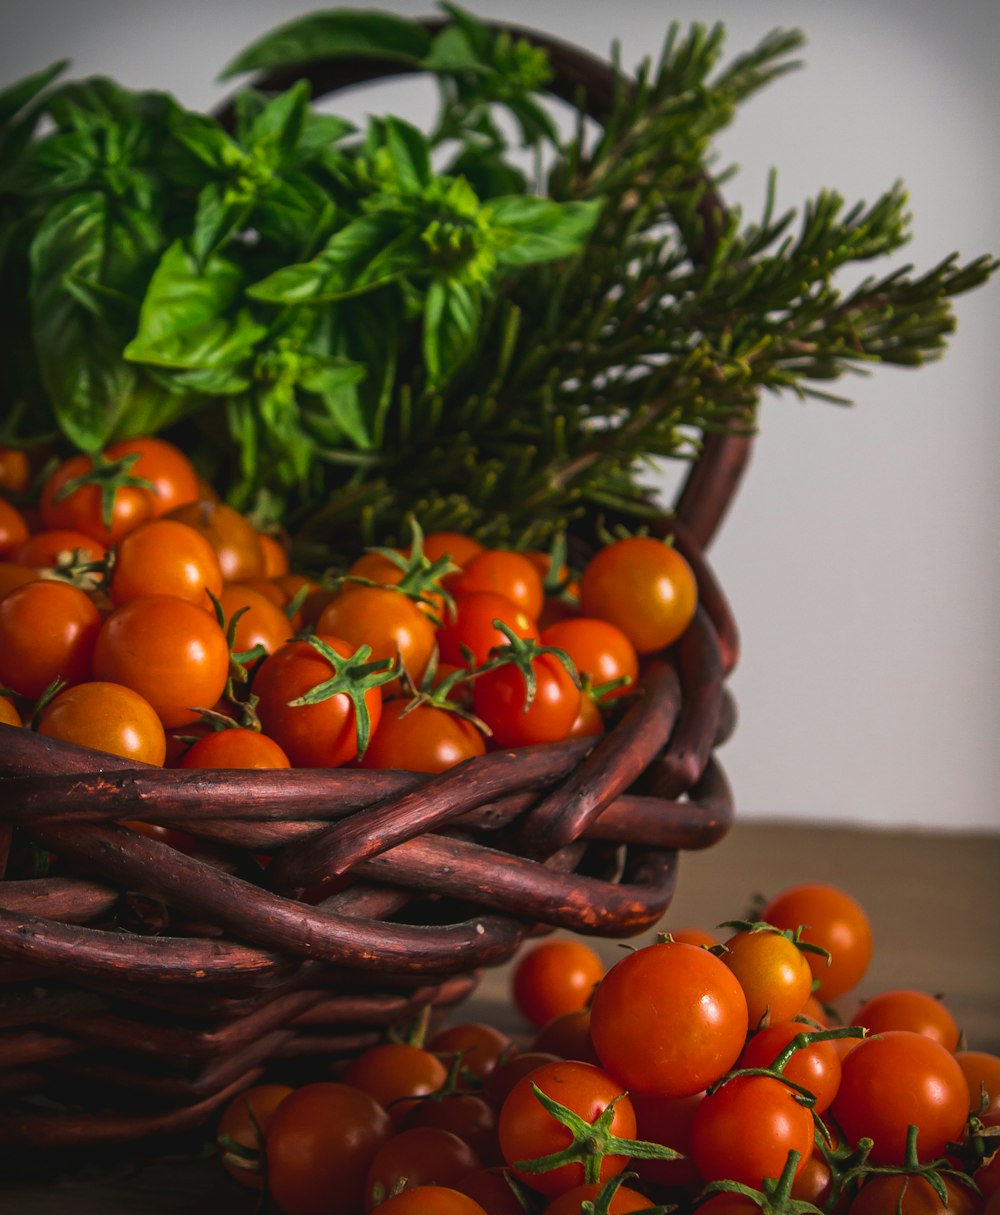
(935, 906)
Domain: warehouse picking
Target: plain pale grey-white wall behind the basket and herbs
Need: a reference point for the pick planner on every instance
(862, 553)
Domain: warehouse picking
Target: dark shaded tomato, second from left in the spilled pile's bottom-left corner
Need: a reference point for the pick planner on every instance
(321, 1141)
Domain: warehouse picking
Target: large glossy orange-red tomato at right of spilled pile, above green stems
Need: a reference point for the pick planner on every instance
(896, 1080)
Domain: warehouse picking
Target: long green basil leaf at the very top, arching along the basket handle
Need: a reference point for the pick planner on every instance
(344, 33)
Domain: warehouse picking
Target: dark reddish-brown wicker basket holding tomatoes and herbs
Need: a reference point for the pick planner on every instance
(143, 986)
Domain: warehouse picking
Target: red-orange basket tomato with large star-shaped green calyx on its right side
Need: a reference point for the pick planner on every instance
(321, 736)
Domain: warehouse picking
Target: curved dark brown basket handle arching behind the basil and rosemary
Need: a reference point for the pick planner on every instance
(579, 77)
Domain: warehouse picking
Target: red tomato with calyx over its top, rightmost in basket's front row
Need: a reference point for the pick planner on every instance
(500, 699)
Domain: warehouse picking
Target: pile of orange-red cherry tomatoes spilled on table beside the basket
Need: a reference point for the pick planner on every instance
(693, 1076)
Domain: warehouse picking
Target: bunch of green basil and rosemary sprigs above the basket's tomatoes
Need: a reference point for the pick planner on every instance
(347, 335)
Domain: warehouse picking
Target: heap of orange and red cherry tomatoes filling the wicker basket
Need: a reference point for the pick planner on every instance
(142, 617)
